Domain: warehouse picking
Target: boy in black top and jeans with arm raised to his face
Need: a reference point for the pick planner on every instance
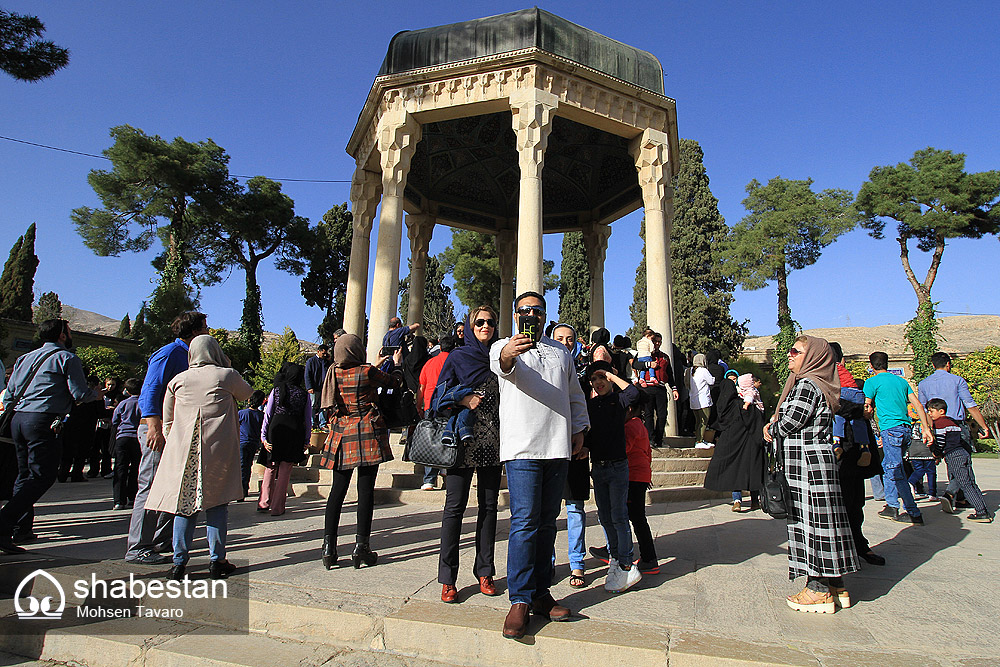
(609, 469)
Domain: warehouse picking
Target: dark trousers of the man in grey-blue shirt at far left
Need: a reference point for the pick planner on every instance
(38, 454)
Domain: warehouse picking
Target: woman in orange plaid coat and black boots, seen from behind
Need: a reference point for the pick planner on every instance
(358, 439)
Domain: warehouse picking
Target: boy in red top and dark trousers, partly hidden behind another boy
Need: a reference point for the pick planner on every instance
(640, 476)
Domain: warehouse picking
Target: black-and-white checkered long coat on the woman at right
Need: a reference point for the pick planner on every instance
(819, 535)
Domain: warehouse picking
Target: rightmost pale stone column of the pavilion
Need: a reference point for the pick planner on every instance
(652, 160)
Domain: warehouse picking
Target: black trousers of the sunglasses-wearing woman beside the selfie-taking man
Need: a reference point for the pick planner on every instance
(457, 484)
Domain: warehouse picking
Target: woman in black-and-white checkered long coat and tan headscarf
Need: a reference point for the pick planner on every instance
(820, 546)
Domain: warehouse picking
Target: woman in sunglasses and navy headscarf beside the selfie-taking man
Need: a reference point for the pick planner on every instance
(470, 386)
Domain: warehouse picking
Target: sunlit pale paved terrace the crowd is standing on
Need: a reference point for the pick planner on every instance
(722, 573)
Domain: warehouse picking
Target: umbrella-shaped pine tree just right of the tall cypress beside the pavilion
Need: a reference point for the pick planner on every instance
(786, 228)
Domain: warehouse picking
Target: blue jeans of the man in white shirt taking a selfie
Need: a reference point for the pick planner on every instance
(536, 488)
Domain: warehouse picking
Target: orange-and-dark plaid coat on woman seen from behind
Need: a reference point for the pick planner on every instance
(358, 436)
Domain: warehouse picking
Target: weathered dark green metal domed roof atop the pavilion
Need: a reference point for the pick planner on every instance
(527, 28)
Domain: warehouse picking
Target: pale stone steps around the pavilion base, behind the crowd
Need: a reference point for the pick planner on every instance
(678, 474)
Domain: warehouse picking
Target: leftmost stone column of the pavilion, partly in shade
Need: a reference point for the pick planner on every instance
(366, 188)
